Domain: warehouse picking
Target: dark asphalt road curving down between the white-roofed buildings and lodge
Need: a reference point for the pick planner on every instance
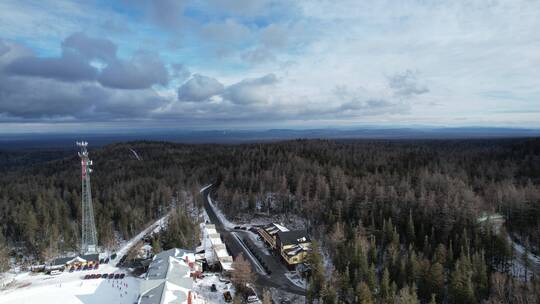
(277, 278)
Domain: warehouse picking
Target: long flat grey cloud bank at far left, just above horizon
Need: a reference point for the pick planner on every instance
(31, 98)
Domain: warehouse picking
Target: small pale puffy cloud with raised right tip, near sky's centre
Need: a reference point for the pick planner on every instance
(250, 91)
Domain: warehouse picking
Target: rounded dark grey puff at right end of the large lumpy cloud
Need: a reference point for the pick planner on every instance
(141, 72)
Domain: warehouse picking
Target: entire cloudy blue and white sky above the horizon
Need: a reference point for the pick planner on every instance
(102, 65)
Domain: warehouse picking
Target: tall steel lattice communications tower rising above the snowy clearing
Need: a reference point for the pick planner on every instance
(89, 235)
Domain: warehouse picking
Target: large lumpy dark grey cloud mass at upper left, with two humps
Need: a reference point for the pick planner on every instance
(79, 50)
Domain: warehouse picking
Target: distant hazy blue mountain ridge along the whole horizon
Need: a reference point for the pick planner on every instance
(28, 140)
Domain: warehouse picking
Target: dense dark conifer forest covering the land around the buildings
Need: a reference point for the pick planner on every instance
(398, 220)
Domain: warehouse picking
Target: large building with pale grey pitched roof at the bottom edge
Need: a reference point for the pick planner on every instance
(170, 278)
